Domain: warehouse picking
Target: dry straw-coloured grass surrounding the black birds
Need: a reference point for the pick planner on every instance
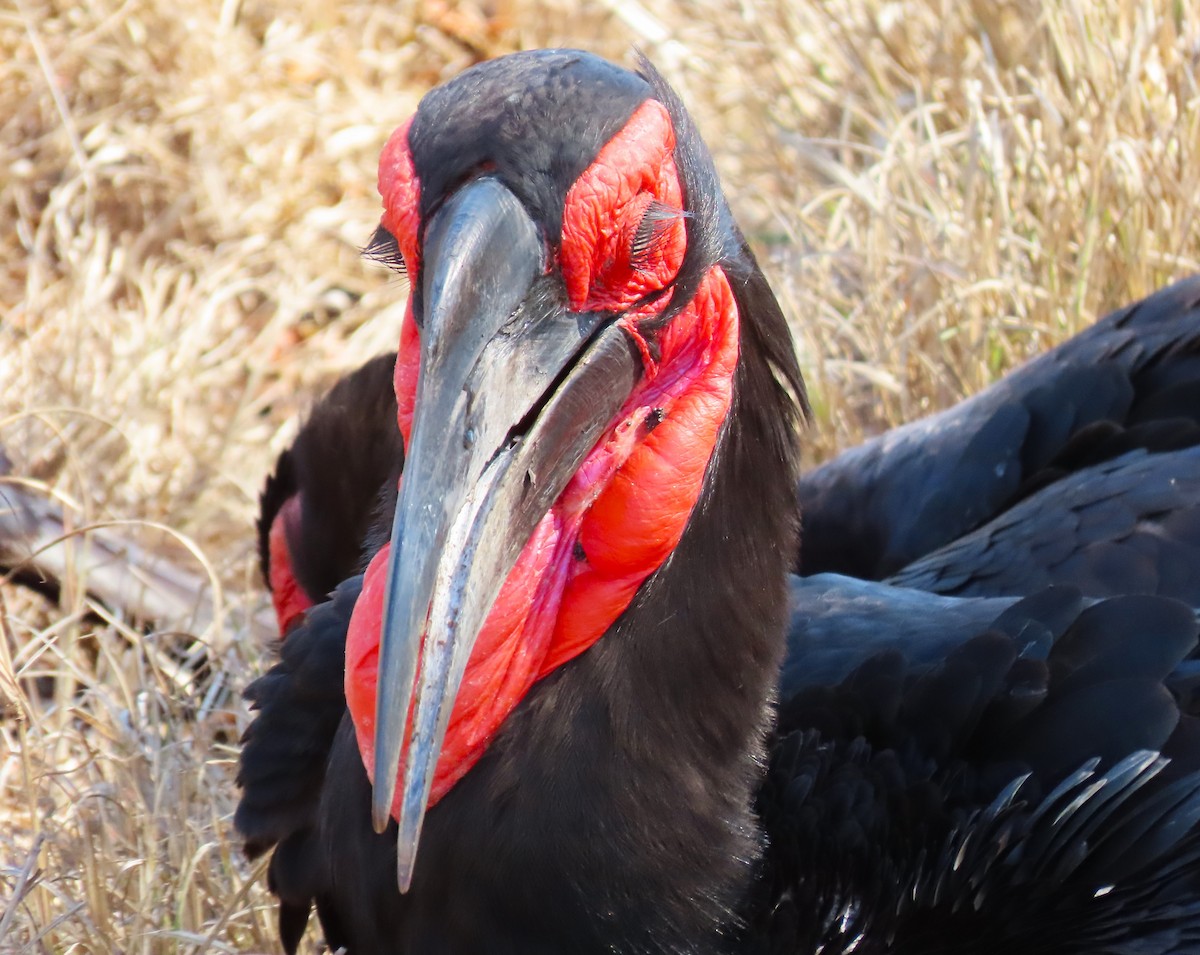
(938, 189)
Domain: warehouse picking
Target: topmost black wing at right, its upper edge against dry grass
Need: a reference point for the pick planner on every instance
(1130, 382)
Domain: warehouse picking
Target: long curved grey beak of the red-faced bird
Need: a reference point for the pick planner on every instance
(514, 392)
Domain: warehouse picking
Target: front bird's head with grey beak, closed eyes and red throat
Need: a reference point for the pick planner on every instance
(567, 365)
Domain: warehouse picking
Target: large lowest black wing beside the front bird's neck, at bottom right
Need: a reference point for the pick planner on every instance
(989, 786)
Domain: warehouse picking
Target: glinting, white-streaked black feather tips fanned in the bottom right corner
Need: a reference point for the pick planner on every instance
(1063, 875)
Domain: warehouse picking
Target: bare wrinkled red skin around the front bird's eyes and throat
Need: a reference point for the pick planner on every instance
(626, 509)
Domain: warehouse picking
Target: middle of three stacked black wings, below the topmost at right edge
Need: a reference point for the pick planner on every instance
(1130, 526)
